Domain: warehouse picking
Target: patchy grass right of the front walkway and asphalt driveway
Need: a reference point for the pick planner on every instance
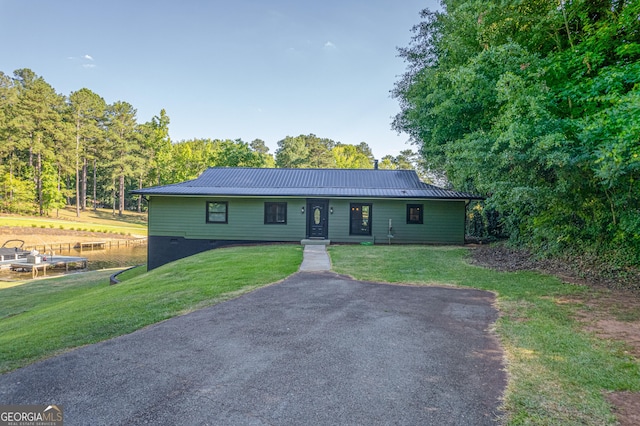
(557, 372)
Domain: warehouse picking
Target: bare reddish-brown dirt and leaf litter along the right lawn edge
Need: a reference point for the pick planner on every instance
(609, 311)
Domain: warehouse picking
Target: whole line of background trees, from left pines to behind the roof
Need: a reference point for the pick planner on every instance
(54, 148)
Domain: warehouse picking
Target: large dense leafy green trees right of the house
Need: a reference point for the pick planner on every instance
(535, 104)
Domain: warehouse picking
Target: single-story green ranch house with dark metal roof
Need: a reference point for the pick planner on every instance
(246, 205)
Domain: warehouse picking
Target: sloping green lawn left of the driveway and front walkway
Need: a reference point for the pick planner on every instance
(43, 318)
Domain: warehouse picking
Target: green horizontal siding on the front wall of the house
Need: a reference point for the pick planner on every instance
(186, 217)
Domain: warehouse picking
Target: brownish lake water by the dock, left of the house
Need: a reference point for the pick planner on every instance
(98, 259)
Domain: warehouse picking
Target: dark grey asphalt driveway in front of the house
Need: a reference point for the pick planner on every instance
(317, 348)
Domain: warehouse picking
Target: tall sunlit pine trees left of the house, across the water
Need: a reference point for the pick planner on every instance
(48, 142)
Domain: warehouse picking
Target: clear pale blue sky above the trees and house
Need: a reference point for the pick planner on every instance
(226, 69)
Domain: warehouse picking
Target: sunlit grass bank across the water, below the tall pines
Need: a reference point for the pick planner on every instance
(101, 220)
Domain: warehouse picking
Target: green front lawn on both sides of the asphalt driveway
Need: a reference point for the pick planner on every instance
(557, 372)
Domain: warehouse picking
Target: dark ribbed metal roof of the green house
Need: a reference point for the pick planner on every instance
(237, 181)
